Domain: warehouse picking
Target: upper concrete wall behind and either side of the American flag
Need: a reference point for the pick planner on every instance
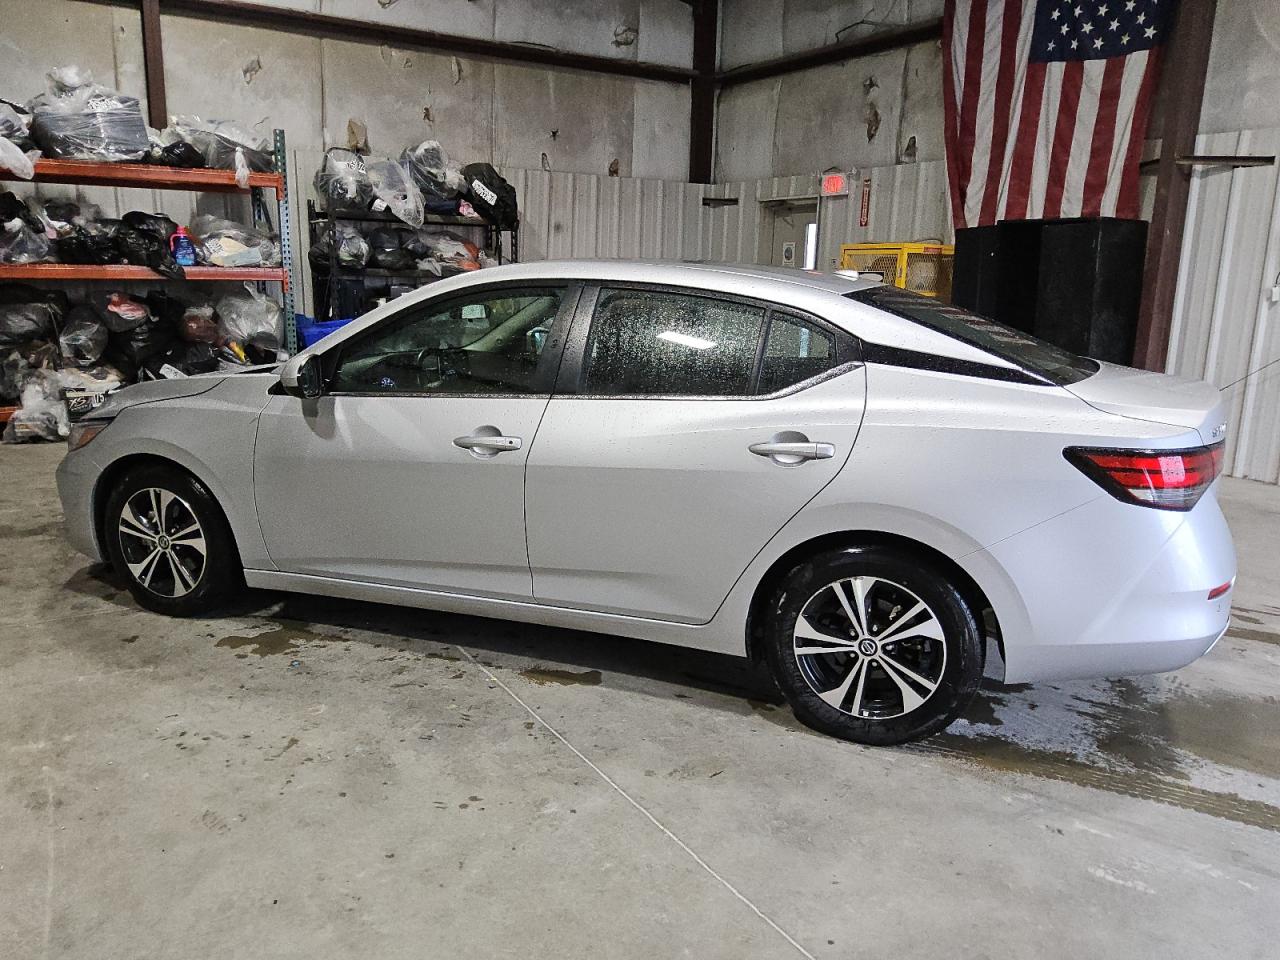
(888, 109)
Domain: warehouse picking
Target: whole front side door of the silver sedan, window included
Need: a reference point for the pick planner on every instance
(410, 469)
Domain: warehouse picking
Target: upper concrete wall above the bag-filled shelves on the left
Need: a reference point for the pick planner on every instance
(510, 116)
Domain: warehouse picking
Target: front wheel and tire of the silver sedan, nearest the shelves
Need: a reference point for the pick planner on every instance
(162, 564)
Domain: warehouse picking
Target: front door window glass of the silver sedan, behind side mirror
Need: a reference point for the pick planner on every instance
(486, 344)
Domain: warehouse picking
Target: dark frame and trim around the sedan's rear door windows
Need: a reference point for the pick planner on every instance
(573, 369)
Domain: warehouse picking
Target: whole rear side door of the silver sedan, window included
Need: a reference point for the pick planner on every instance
(687, 431)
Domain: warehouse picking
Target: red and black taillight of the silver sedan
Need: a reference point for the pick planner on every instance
(1164, 479)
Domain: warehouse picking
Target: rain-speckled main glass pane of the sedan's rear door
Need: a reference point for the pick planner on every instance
(671, 345)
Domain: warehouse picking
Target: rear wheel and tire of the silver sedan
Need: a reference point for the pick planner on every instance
(904, 675)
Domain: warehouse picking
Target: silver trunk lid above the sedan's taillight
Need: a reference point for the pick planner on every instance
(1162, 399)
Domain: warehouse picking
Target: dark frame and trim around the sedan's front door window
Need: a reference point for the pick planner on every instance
(548, 363)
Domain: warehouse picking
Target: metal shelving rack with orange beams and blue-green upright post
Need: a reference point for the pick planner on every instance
(152, 177)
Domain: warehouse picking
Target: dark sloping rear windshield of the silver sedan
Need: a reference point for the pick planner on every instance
(1030, 353)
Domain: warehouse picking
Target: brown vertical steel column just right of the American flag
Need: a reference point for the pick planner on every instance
(1183, 83)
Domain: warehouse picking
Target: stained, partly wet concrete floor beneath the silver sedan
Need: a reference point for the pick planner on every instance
(310, 779)
